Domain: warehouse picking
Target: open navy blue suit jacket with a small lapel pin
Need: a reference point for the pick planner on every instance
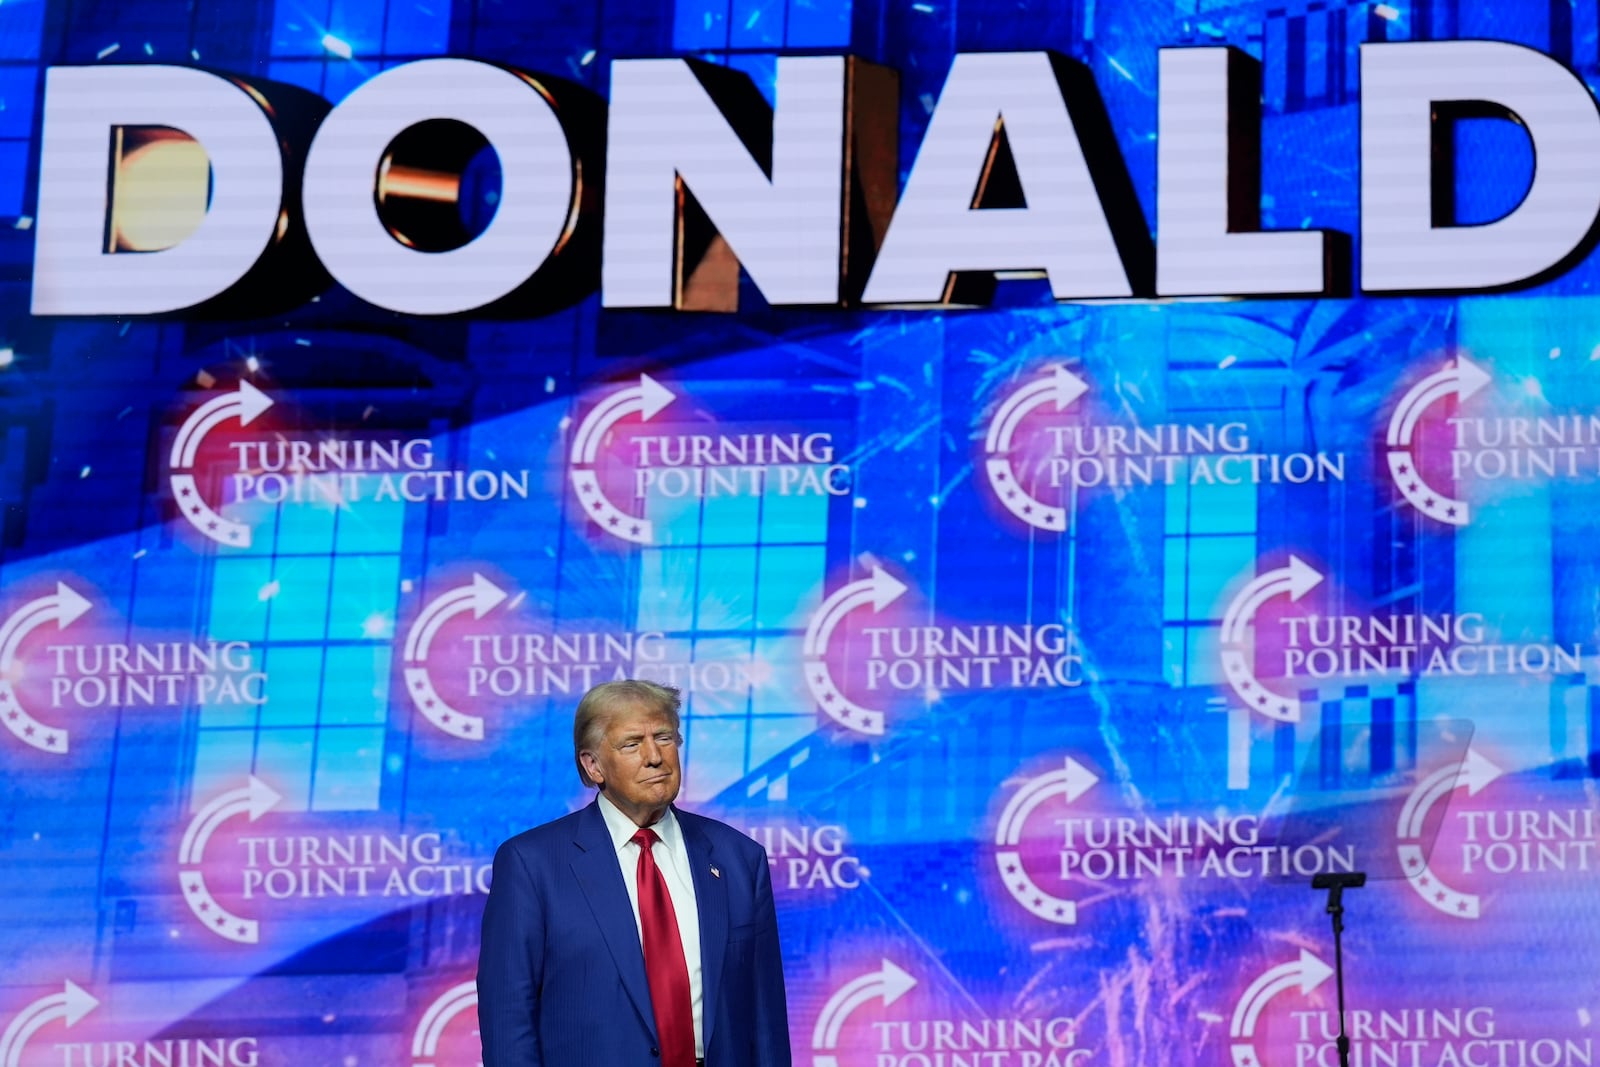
(562, 973)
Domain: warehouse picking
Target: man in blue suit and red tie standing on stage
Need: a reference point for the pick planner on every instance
(631, 933)
